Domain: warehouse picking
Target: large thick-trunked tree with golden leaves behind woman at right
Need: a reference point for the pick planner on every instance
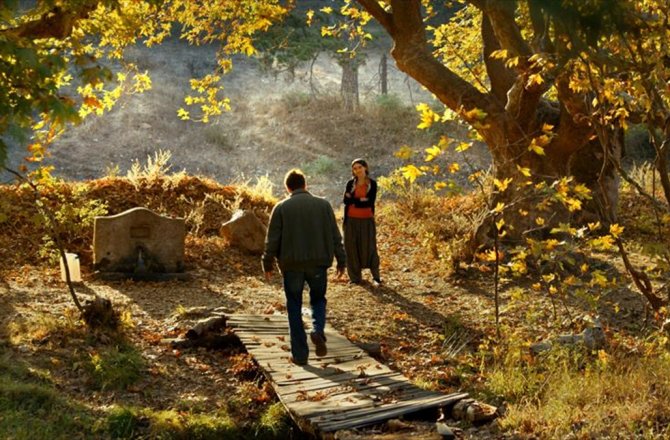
(549, 86)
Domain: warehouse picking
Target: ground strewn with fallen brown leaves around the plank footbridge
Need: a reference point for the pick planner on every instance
(419, 316)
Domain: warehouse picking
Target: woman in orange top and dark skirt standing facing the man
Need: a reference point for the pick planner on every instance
(360, 233)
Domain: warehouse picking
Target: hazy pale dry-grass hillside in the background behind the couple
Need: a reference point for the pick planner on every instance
(276, 122)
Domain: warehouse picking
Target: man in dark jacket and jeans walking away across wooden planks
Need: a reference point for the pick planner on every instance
(303, 236)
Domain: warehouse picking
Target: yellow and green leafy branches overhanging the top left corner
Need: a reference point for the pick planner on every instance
(55, 57)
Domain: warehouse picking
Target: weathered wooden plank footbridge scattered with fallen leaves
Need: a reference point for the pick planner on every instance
(345, 389)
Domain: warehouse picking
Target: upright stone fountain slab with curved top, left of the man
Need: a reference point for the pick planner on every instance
(139, 244)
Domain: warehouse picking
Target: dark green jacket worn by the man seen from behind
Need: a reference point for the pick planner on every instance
(302, 234)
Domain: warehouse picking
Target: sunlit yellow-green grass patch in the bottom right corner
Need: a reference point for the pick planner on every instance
(566, 393)
